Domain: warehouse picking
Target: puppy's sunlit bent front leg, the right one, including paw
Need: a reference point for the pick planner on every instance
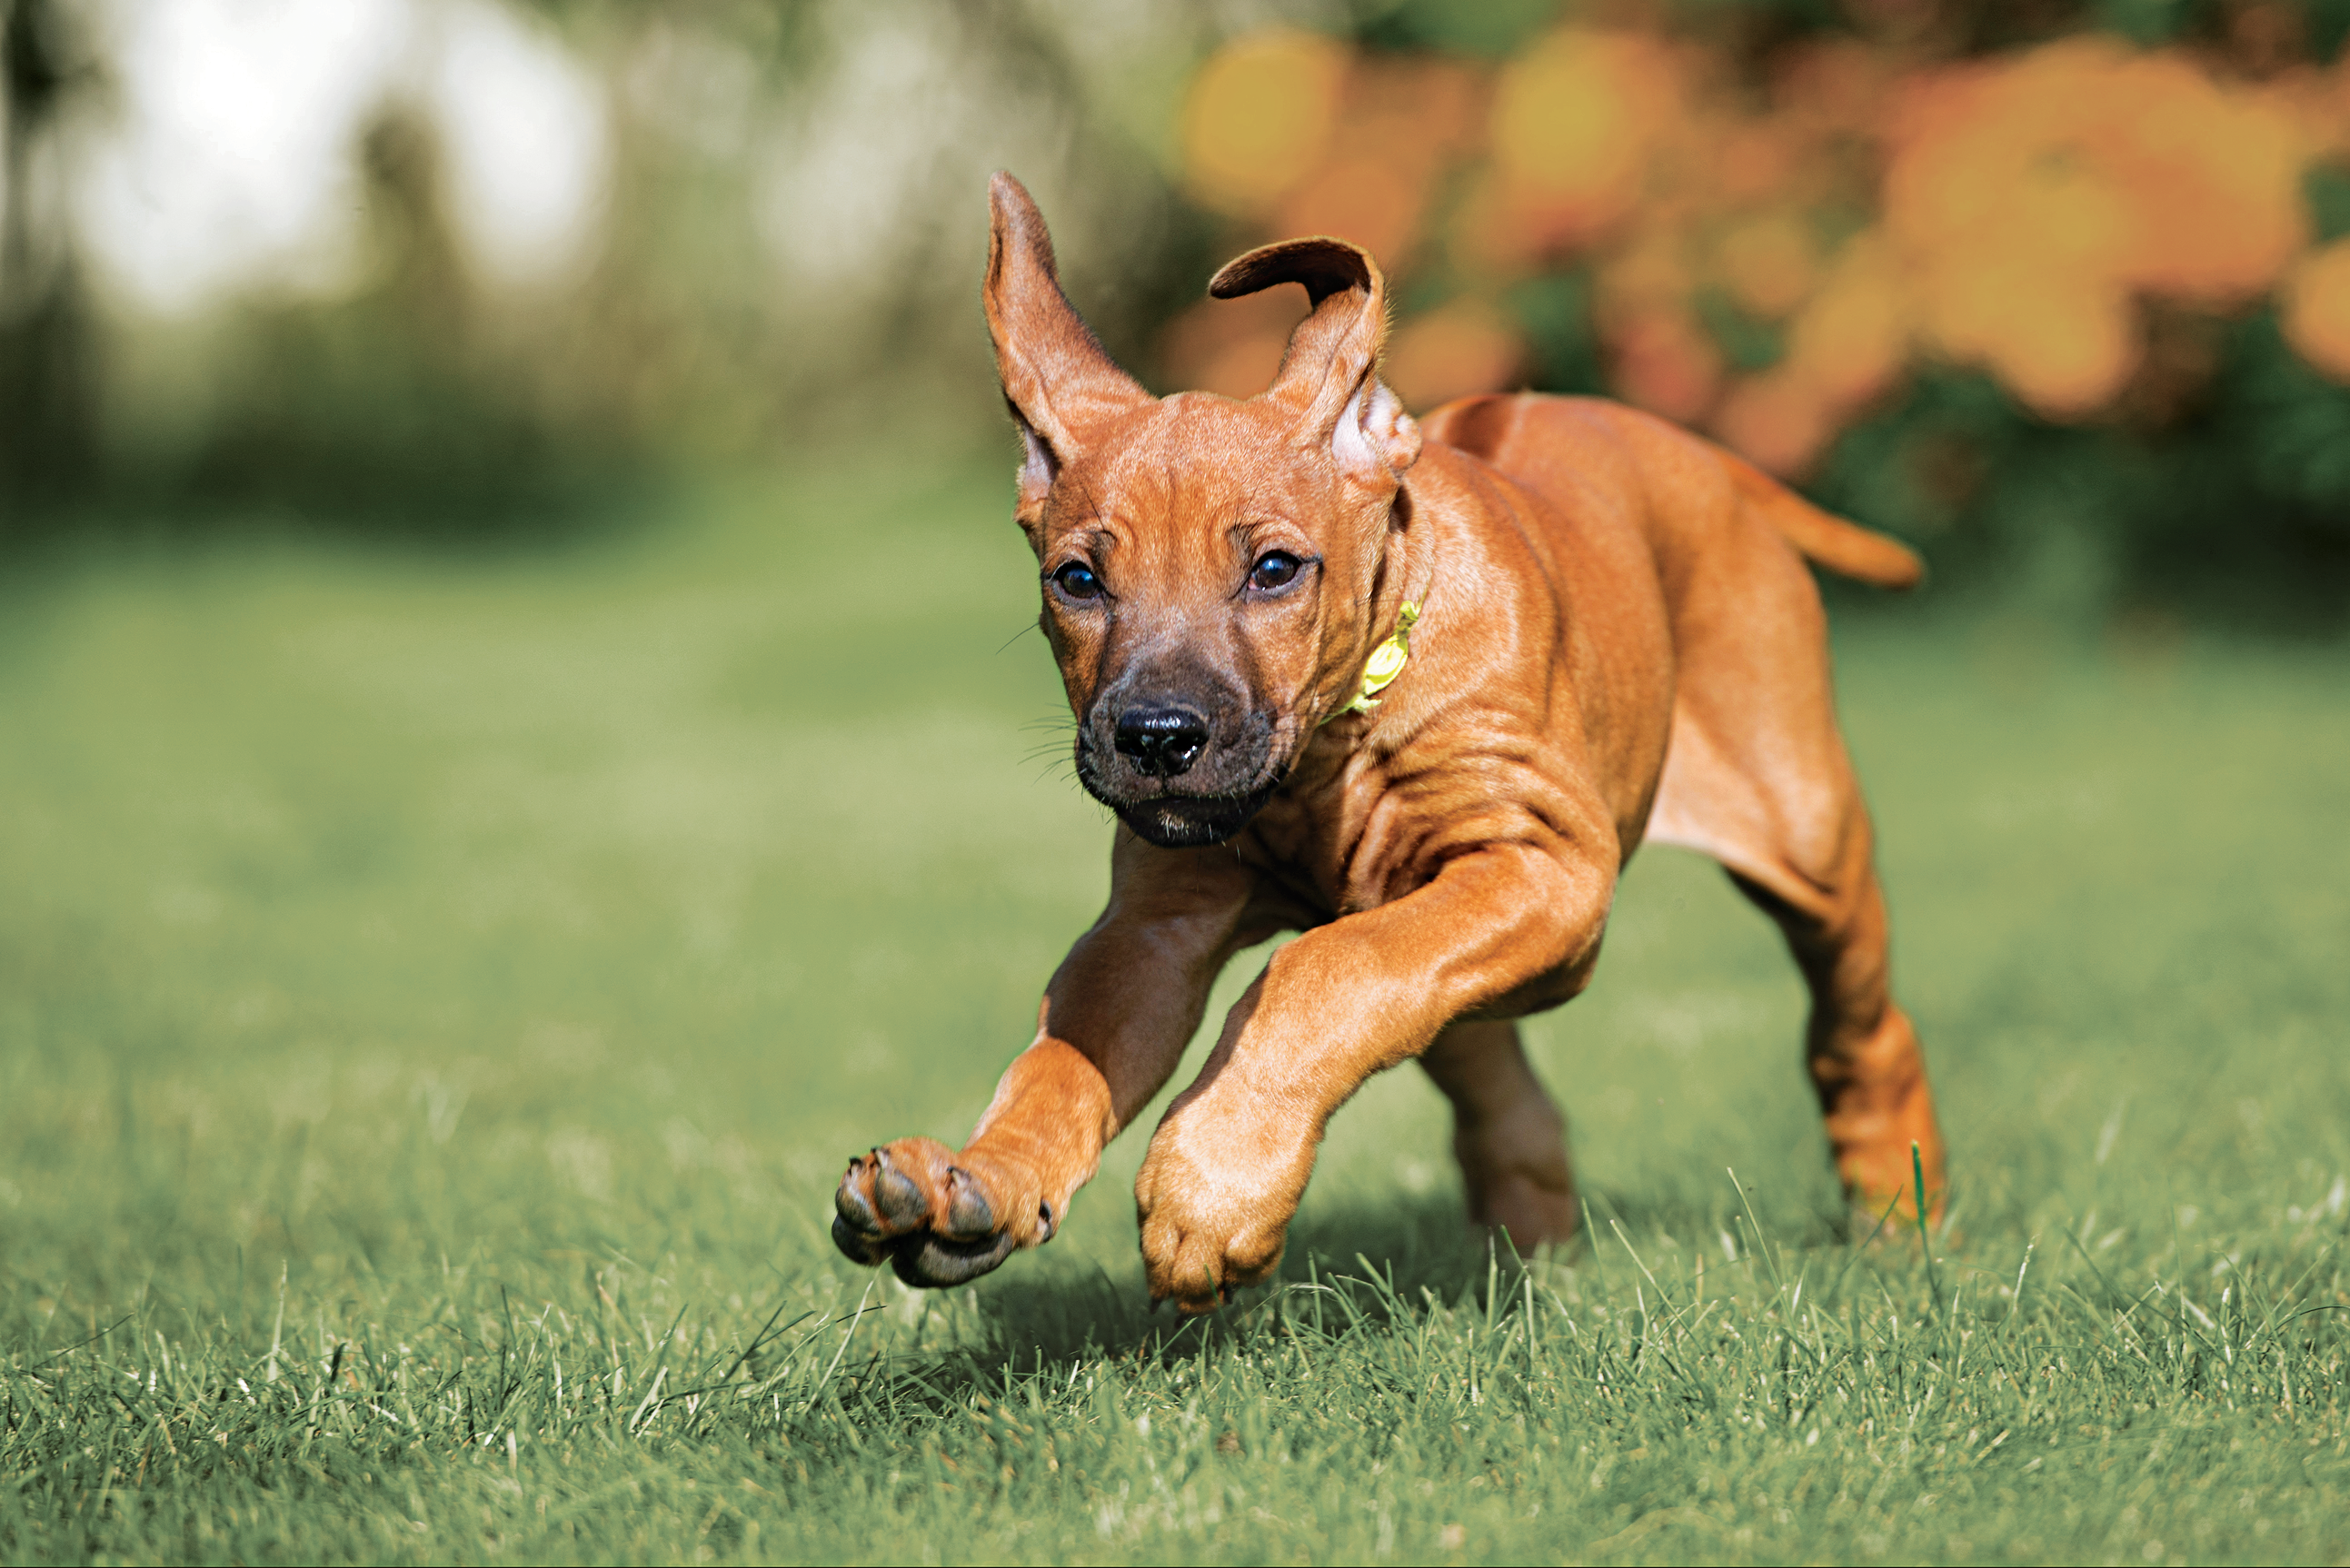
(1334, 1007)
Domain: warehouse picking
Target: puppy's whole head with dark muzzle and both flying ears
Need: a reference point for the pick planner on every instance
(1209, 565)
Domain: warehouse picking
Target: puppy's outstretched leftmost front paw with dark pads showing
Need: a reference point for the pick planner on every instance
(934, 1221)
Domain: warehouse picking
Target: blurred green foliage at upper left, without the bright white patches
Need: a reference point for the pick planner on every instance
(424, 401)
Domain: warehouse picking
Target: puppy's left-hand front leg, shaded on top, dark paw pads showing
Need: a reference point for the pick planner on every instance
(1110, 1031)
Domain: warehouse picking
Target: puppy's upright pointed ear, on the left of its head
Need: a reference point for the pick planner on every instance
(1056, 377)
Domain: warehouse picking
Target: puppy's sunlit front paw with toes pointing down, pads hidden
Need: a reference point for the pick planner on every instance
(1211, 1228)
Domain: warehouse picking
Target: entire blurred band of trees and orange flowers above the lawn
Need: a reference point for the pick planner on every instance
(2057, 288)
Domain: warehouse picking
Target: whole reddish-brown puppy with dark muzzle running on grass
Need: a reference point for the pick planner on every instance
(1616, 638)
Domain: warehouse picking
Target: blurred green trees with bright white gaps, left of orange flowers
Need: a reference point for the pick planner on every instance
(462, 267)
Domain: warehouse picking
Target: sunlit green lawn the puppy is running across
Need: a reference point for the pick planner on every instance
(436, 1005)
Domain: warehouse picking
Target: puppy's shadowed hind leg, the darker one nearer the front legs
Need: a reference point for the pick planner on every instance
(1508, 1137)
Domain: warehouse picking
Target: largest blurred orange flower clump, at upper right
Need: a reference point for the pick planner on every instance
(2034, 201)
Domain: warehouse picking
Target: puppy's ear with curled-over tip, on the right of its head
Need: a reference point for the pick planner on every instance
(1331, 370)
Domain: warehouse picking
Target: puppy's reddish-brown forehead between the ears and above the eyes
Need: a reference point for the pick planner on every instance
(1193, 462)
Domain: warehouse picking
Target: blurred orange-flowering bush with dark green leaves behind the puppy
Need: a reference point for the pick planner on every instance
(2057, 290)
